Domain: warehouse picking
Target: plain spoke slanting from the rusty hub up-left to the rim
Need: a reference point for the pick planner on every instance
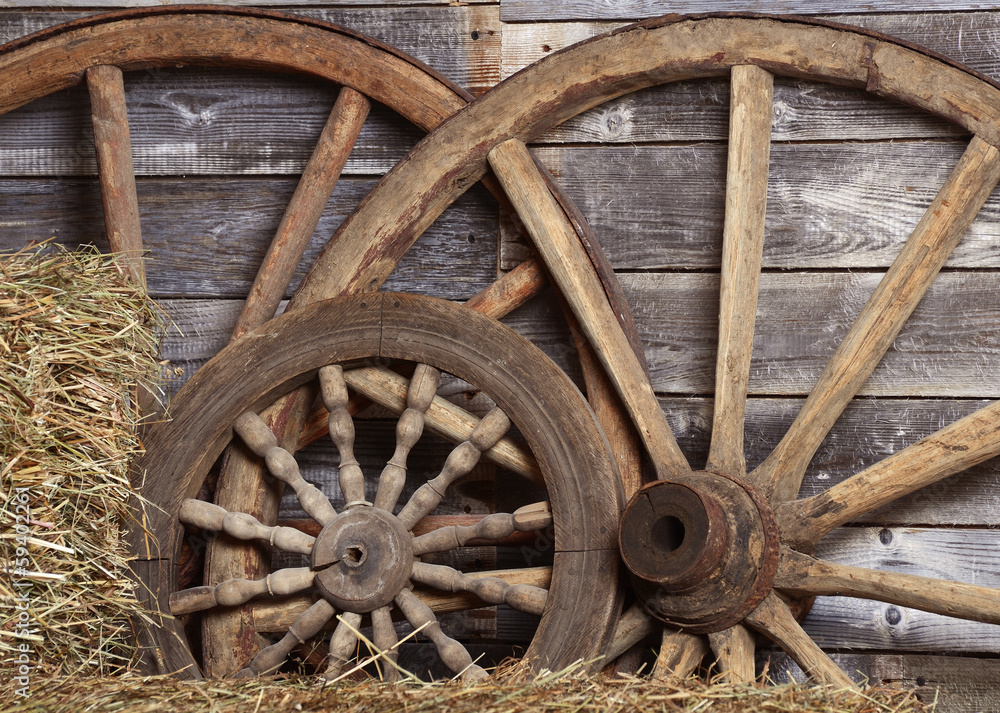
(571, 268)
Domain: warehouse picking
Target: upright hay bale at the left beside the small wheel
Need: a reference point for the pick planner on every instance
(75, 339)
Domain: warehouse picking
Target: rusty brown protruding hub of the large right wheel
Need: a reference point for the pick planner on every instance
(702, 549)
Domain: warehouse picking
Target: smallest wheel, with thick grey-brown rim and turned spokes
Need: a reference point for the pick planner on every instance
(366, 560)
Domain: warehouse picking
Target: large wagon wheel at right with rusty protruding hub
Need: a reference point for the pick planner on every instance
(732, 551)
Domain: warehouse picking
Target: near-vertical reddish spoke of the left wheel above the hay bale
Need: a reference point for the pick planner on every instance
(114, 166)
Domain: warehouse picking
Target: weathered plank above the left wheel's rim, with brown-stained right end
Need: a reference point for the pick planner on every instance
(461, 42)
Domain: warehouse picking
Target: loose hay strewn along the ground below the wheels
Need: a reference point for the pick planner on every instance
(510, 692)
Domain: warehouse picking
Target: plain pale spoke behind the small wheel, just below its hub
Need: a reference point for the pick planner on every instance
(271, 616)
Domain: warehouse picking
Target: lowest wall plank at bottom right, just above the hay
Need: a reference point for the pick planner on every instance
(958, 684)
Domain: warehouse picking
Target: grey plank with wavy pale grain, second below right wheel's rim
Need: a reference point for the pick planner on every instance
(828, 205)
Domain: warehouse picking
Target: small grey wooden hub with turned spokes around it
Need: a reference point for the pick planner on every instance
(364, 557)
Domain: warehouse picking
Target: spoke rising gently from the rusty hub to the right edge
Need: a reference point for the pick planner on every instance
(951, 450)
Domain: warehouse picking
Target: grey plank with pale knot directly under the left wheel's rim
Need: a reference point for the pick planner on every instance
(199, 121)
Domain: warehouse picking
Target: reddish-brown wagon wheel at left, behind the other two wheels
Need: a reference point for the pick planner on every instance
(97, 51)
